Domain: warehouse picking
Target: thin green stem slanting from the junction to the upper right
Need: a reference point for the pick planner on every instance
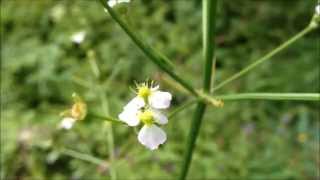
(266, 57)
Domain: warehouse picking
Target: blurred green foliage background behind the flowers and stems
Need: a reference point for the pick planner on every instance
(41, 68)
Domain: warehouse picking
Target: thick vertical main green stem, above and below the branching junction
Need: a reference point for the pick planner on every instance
(208, 17)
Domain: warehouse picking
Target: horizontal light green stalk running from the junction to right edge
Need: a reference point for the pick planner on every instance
(272, 96)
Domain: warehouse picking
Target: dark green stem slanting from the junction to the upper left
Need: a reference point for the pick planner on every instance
(160, 60)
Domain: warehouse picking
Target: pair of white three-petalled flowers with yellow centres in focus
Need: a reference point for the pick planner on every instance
(146, 108)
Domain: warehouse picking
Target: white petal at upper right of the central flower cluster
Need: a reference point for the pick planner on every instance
(160, 100)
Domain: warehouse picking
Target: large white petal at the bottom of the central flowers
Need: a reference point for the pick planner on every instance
(151, 136)
